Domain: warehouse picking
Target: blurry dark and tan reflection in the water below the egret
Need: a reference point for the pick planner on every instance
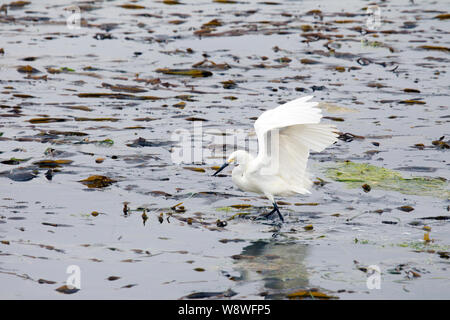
(279, 265)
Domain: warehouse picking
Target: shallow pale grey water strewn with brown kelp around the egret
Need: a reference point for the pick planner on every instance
(360, 79)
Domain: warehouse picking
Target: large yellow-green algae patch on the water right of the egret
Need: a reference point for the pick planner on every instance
(356, 174)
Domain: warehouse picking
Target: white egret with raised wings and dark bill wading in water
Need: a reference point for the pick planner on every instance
(285, 135)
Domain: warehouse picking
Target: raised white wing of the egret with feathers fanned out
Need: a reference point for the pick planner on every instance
(286, 134)
